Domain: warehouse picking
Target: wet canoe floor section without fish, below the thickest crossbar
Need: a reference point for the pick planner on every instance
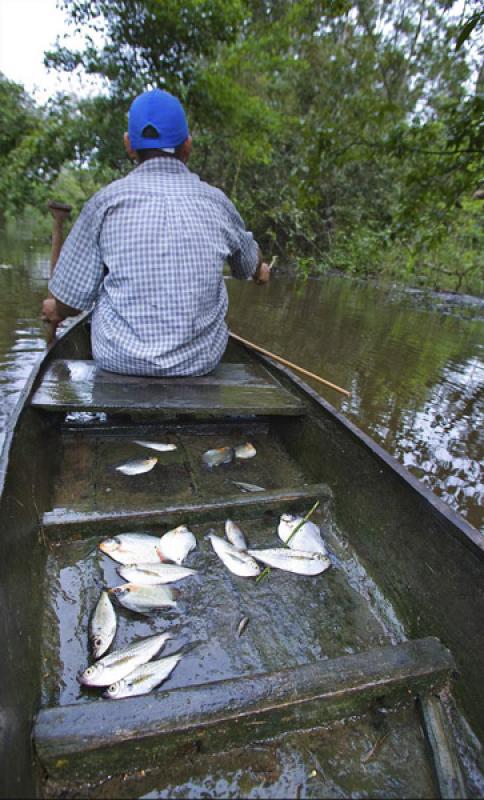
(378, 755)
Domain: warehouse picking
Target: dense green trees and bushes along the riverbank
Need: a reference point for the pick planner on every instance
(349, 134)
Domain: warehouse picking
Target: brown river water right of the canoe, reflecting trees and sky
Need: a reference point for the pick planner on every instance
(416, 376)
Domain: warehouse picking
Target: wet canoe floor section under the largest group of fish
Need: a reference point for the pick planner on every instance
(293, 619)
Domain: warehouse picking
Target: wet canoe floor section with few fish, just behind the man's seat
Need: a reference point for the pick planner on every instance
(88, 481)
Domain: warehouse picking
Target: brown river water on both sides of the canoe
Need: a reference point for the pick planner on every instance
(415, 372)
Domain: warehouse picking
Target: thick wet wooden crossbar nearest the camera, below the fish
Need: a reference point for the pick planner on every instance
(85, 740)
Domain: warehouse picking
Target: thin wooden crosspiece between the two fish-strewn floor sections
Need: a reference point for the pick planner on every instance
(59, 525)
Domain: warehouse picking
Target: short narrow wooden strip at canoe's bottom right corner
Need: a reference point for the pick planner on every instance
(439, 737)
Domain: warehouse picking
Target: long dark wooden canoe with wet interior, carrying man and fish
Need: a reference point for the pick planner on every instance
(363, 681)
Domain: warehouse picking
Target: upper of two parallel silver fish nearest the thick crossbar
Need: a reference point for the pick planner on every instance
(120, 663)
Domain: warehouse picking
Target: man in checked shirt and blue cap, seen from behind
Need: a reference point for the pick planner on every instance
(148, 252)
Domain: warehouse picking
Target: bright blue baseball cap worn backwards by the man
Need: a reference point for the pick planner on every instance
(163, 112)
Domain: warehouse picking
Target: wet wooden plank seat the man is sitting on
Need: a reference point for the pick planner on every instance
(231, 389)
